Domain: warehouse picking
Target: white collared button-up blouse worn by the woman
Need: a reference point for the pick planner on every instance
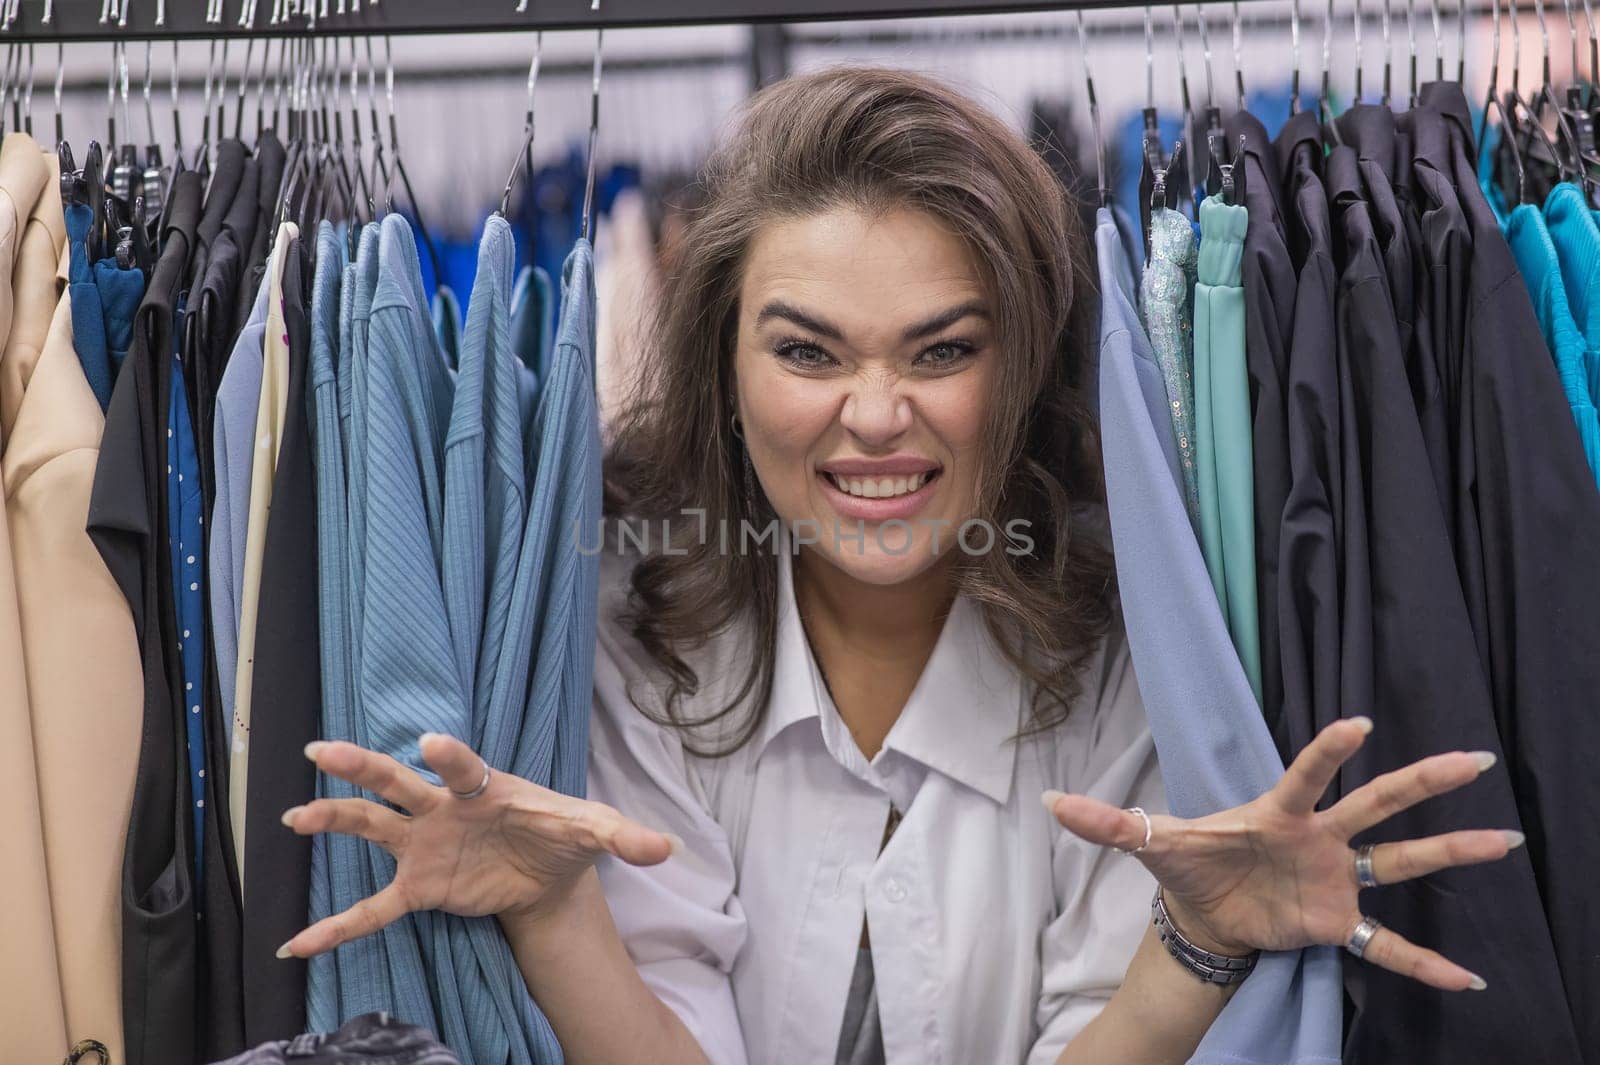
(996, 935)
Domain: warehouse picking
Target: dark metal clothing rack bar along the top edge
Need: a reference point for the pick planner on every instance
(186, 20)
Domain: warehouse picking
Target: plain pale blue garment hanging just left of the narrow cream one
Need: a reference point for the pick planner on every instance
(234, 447)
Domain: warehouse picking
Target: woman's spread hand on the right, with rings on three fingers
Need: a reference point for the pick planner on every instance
(1278, 874)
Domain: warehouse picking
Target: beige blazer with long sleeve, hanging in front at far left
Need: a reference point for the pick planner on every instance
(82, 653)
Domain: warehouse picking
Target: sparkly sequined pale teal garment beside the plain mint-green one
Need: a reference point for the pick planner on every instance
(1167, 305)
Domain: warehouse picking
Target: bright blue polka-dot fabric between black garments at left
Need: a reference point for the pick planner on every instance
(185, 540)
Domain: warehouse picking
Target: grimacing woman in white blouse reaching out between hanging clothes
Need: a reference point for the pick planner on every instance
(817, 772)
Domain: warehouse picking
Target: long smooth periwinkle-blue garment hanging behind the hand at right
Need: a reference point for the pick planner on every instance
(1209, 732)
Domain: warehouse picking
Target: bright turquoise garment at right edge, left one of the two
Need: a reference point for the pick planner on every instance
(1542, 273)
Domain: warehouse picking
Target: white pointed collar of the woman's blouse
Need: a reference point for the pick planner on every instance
(961, 719)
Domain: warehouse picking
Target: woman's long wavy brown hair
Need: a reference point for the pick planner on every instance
(874, 140)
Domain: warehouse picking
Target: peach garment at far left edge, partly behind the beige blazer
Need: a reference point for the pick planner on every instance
(33, 1016)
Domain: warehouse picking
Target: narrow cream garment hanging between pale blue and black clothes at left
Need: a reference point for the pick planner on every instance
(271, 412)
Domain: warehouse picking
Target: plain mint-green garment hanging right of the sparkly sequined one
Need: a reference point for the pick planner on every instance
(1225, 458)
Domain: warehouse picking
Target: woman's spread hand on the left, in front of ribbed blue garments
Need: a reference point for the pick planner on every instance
(514, 850)
